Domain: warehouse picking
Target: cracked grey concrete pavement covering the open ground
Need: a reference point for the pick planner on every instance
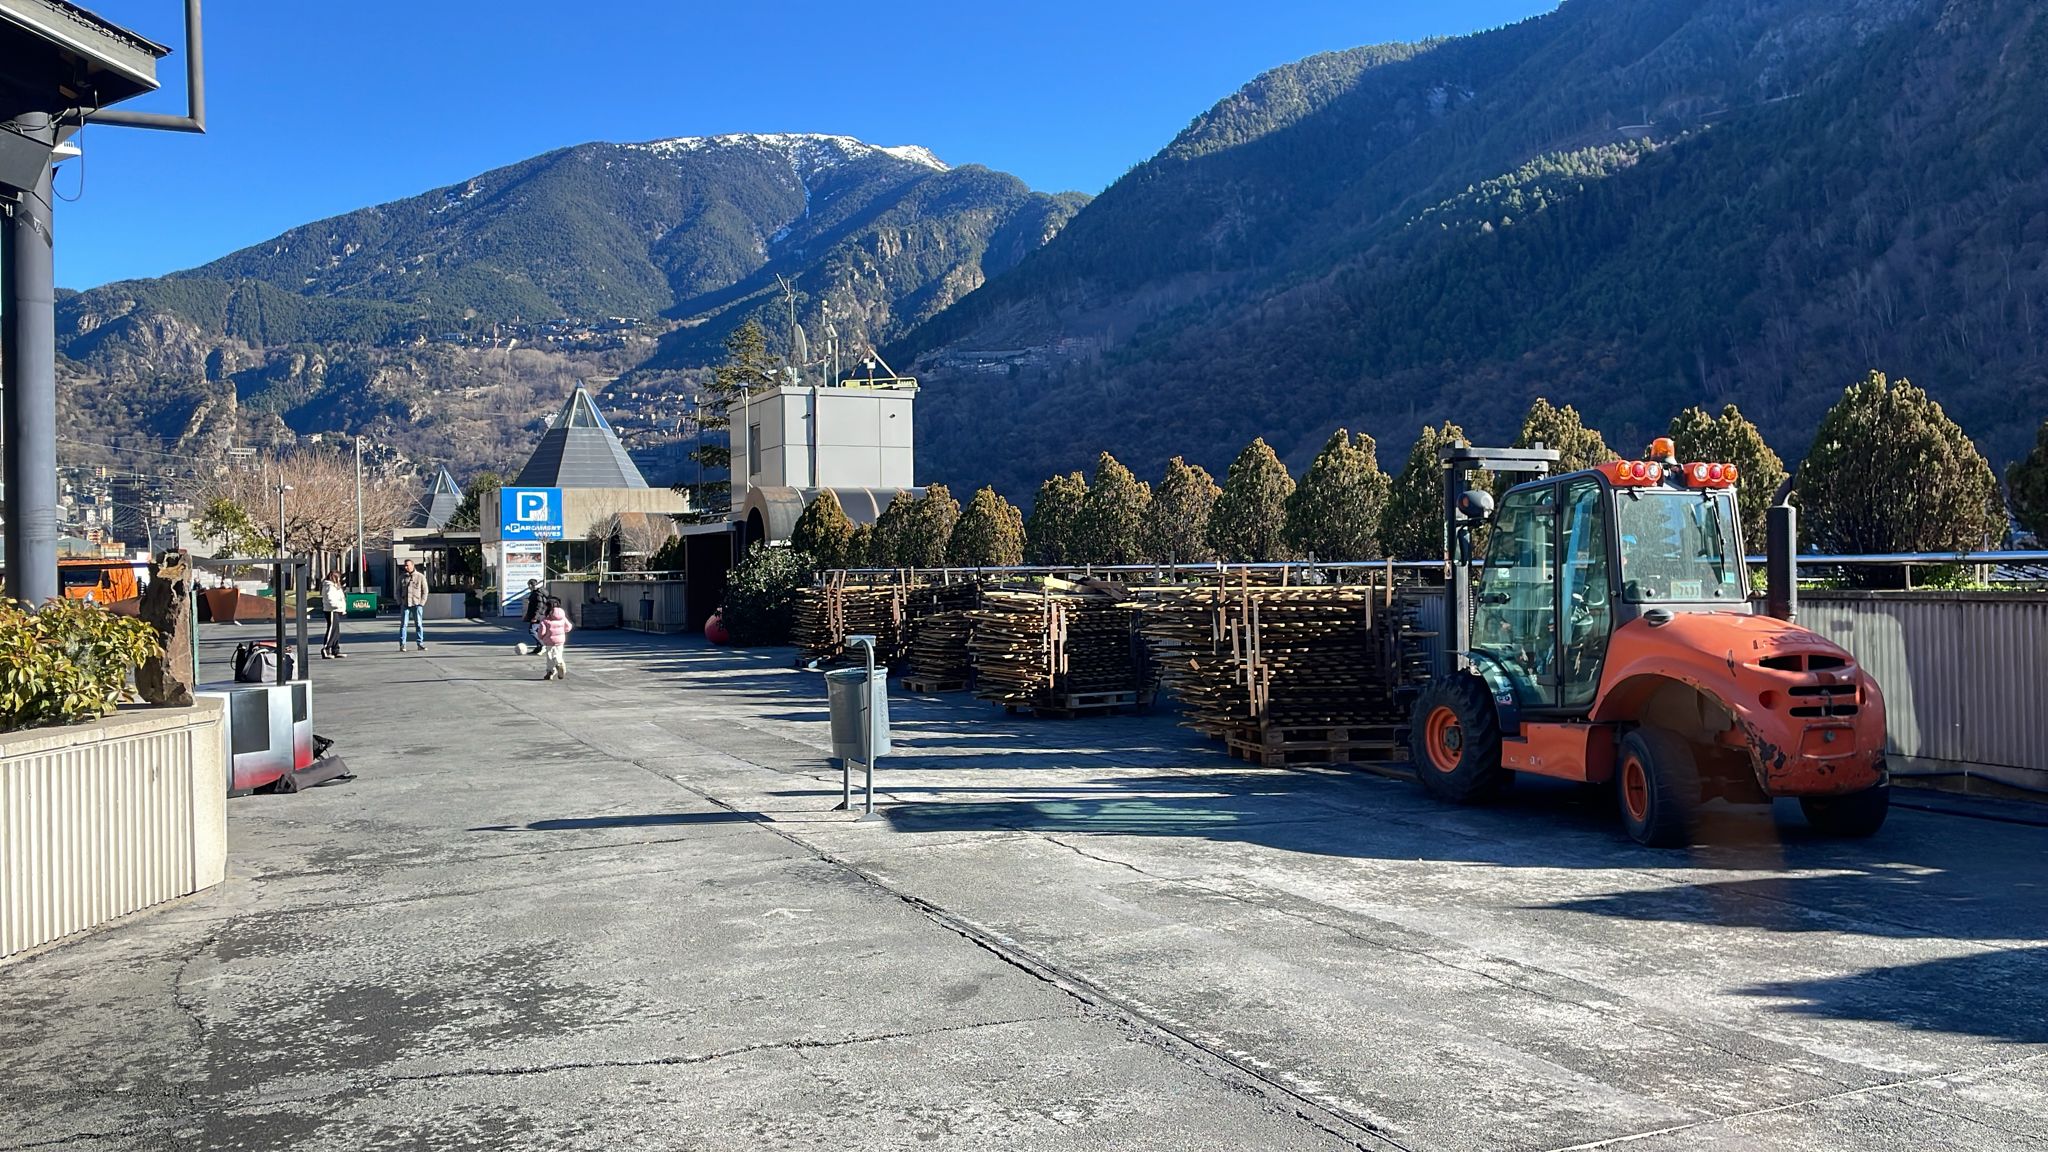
(620, 913)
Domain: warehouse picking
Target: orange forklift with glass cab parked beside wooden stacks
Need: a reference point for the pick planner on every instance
(1609, 634)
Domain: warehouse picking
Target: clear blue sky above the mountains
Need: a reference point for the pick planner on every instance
(321, 108)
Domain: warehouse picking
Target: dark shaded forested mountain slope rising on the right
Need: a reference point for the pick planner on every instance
(1629, 206)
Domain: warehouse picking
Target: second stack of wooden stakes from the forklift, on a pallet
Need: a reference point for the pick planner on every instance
(1058, 651)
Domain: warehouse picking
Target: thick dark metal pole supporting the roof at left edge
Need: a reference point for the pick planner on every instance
(30, 403)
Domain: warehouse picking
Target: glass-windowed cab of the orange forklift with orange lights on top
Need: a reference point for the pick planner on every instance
(1576, 557)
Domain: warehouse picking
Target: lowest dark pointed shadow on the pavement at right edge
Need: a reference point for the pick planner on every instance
(2000, 995)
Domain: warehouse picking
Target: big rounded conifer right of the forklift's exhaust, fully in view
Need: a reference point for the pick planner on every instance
(1891, 472)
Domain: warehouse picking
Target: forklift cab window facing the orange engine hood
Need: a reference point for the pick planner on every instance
(1678, 546)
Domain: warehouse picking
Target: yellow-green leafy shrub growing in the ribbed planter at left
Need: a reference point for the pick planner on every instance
(69, 663)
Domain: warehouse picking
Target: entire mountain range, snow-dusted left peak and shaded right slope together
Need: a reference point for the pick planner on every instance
(1629, 206)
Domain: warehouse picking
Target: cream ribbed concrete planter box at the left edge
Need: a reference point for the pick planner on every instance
(110, 819)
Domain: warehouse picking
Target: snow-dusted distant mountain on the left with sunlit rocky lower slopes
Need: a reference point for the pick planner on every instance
(454, 323)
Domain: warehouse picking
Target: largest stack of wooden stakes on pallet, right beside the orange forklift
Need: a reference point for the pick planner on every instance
(1291, 673)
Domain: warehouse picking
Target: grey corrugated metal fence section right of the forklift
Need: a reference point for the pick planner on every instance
(1965, 675)
